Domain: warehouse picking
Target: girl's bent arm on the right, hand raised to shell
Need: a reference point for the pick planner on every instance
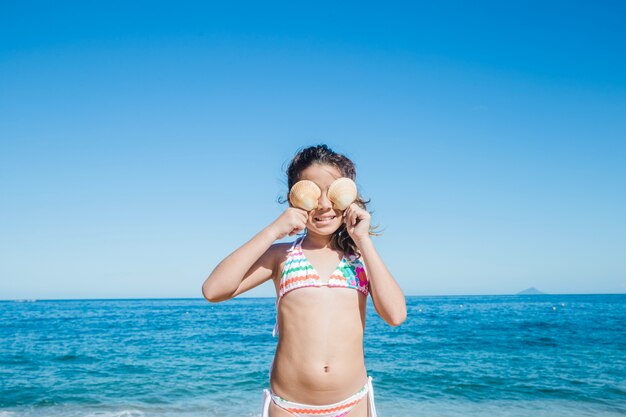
(387, 296)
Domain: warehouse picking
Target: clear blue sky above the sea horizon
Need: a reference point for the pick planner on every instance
(142, 142)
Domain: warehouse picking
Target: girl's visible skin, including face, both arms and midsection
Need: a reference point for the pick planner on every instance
(319, 356)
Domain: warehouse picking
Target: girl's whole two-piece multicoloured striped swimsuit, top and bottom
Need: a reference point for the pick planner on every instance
(299, 273)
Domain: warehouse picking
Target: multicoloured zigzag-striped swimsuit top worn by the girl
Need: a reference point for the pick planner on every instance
(299, 273)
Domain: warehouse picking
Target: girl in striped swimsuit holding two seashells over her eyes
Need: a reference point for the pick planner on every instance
(318, 368)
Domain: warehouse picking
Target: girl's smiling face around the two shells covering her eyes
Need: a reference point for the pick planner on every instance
(323, 220)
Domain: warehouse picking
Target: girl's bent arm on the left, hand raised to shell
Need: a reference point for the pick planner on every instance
(254, 262)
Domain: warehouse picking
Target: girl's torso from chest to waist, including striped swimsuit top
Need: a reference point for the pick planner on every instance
(321, 304)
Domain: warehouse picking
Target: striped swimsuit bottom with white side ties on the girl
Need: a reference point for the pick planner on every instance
(338, 409)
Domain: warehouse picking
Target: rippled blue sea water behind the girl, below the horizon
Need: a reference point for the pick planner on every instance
(540, 355)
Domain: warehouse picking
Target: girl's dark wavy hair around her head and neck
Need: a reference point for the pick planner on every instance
(323, 155)
